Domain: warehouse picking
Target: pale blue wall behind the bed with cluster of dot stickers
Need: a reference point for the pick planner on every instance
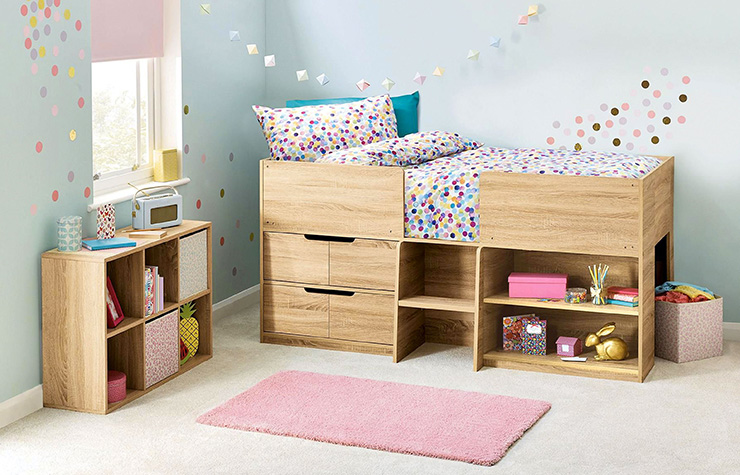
(571, 58)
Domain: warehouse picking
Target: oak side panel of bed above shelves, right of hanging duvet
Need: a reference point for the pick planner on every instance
(560, 213)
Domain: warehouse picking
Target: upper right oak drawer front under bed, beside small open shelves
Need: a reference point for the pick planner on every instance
(363, 263)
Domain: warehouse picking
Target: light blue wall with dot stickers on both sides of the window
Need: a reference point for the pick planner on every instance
(220, 83)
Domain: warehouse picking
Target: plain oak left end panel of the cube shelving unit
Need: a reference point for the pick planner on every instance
(74, 334)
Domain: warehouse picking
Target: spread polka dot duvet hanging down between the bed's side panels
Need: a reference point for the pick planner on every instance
(442, 195)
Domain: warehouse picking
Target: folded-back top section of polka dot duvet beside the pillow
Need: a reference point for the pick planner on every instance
(413, 149)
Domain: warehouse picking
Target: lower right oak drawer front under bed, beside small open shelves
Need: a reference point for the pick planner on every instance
(362, 317)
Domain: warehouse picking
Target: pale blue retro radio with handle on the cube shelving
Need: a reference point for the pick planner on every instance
(157, 210)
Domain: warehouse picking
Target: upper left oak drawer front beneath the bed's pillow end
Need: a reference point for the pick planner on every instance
(295, 258)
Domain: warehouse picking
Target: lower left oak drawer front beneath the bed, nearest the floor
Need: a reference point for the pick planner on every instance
(295, 310)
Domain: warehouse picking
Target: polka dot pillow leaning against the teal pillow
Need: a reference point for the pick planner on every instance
(305, 133)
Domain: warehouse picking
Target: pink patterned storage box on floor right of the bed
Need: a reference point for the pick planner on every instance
(688, 331)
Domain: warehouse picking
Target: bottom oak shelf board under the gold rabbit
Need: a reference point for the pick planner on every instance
(626, 369)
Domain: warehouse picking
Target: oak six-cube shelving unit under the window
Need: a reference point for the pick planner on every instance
(79, 348)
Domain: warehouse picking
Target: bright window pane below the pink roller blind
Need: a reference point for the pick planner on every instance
(124, 116)
